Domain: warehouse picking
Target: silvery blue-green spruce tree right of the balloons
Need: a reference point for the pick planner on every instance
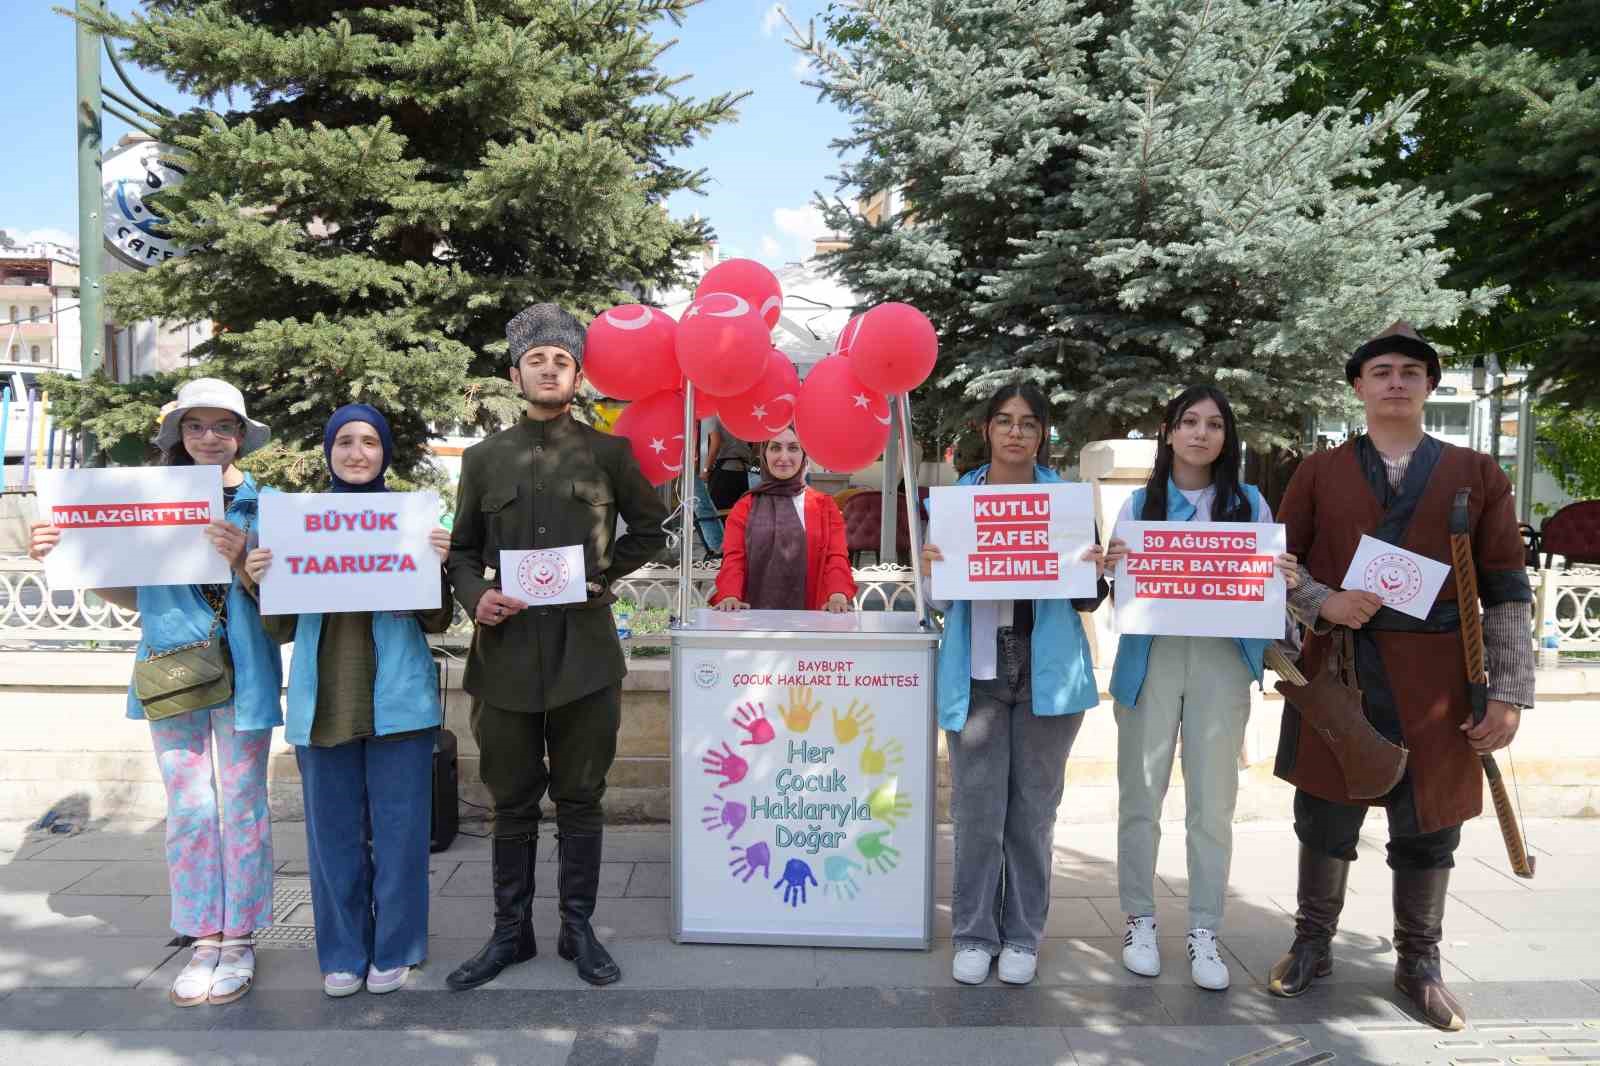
(1098, 198)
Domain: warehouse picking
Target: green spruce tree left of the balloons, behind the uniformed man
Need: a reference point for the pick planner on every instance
(394, 183)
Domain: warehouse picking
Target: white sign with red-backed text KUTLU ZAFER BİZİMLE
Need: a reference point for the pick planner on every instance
(1012, 542)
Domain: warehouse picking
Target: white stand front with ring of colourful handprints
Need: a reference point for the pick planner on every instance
(802, 795)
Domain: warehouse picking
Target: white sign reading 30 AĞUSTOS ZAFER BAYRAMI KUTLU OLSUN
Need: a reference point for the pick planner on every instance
(1202, 580)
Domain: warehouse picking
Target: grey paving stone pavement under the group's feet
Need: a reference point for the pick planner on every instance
(87, 956)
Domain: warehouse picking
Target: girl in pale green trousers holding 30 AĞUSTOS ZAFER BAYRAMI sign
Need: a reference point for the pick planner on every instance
(1191, 687)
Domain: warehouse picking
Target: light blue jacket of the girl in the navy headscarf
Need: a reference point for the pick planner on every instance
(406, 695)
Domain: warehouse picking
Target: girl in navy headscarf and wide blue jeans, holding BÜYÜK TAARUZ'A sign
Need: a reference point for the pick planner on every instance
(362, 715)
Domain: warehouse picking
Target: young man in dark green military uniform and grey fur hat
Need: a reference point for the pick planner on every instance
(546, 683)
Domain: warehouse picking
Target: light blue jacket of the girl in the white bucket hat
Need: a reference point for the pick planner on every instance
(172, 615)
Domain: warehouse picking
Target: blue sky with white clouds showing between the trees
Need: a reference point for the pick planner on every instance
(764, 170)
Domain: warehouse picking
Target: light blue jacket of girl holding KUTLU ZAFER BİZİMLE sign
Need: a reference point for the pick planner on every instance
(1063, 675)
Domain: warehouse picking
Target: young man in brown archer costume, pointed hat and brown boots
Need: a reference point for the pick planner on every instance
(1398, 484)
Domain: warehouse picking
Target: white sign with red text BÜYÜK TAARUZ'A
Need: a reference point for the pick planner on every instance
(350, 553)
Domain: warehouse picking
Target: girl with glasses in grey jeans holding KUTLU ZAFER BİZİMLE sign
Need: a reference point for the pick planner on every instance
(1014, 679)
